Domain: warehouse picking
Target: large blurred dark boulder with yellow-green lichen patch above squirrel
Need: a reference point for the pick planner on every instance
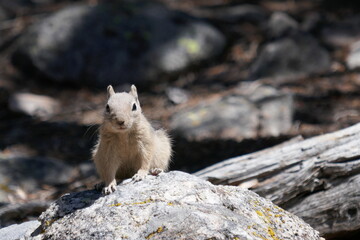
(131, 41)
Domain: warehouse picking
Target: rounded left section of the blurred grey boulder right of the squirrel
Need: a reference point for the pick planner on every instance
(232, 116)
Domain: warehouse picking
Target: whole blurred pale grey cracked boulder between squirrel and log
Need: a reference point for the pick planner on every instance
(252, 111)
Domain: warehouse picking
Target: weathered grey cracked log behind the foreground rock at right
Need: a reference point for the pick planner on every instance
(317, 178)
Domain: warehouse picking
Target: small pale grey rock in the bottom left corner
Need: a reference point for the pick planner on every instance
(19, 231)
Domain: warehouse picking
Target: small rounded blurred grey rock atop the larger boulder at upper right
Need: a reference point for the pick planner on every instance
(281, 24)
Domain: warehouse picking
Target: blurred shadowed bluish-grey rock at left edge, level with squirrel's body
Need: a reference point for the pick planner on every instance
(30, 173)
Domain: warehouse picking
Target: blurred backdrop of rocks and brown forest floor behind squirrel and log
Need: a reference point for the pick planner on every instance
(225, 77)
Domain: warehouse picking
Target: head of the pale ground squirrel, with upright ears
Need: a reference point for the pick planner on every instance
(122, 109)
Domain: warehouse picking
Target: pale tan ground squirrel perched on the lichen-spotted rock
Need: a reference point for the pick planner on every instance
(128, 145)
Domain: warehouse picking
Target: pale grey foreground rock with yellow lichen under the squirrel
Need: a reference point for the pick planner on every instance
(172, 205)
